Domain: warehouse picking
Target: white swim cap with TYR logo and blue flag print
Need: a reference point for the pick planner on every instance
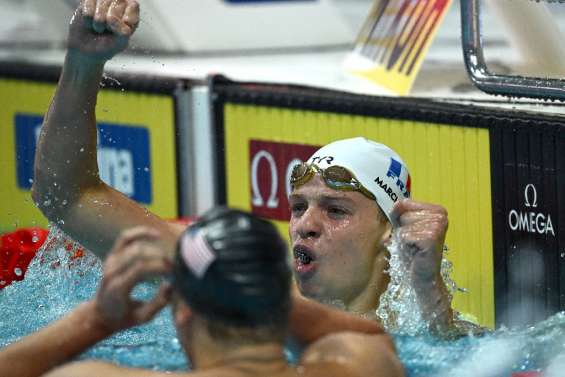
(377, 167)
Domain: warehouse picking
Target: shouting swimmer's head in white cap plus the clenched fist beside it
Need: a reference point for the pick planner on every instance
(346, 200)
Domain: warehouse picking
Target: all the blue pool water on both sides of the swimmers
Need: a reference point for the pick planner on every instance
(54, 284)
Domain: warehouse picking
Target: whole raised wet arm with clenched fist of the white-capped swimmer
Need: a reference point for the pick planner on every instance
(67, 186)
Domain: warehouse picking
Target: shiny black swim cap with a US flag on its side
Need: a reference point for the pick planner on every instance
(232, 268)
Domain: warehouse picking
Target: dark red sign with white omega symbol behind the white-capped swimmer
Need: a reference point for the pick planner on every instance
(271, 167)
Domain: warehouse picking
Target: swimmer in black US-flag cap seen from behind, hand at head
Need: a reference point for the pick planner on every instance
(232, 305)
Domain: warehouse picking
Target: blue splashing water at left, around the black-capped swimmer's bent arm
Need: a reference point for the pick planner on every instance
(57, 281)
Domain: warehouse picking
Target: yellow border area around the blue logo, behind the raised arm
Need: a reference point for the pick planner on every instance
(150, 112)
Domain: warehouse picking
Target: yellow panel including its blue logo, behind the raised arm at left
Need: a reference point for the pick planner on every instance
(136, 147)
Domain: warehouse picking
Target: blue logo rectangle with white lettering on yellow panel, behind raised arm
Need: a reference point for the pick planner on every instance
(123, 156)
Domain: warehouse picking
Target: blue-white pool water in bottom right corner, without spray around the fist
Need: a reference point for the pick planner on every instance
(498, 354)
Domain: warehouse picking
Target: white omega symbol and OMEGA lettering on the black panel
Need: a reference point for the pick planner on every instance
(530, 221)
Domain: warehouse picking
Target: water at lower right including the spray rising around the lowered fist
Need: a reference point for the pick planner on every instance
(498, 354)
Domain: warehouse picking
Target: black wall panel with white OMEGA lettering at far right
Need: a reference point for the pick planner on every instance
(529, 203)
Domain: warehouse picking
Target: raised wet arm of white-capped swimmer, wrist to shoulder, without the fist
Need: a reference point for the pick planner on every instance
(67, 185)
